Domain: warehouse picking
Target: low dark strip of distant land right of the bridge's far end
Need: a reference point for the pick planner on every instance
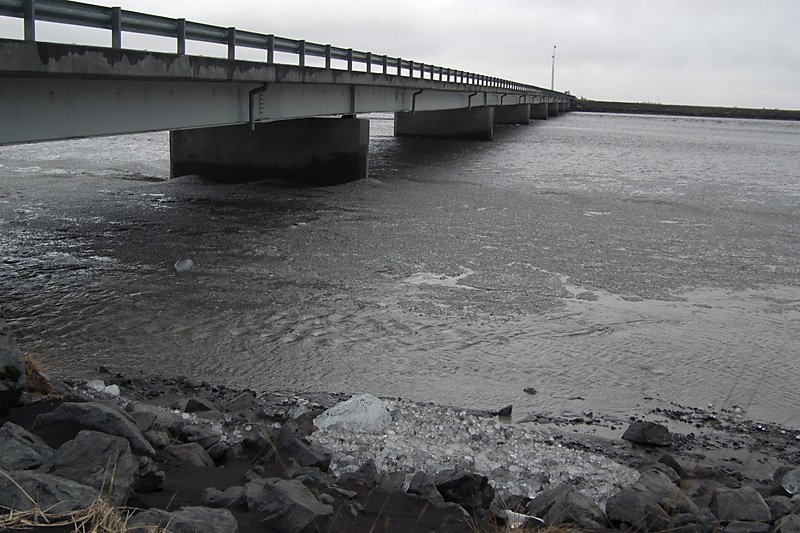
(597, 106)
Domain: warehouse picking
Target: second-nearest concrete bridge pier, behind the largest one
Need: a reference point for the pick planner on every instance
(471, 124)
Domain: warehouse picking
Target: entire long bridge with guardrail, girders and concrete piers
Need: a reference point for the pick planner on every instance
(292, 115)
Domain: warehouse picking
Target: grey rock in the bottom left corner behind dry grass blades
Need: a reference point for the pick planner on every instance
(57, 495)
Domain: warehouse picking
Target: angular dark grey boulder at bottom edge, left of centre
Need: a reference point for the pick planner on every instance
(290, 505)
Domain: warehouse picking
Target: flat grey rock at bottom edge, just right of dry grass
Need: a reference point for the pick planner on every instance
(186, 520)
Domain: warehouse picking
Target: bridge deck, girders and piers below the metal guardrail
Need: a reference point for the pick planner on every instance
(239, 118)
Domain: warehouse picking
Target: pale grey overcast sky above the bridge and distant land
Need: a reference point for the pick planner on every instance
(702, 52)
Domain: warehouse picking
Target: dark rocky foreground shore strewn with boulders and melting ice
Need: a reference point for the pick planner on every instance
(194, 456)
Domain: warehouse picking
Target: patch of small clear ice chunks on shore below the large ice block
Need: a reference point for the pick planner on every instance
(517, 460)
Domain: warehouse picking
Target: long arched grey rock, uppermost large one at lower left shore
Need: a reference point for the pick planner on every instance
(98, 417)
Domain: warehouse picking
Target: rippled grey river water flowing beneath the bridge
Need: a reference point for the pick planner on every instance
(611, 262)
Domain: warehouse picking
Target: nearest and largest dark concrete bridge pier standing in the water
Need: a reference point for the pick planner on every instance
(315, 151)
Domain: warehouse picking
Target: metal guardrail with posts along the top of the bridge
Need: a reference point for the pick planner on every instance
(118, 21)
